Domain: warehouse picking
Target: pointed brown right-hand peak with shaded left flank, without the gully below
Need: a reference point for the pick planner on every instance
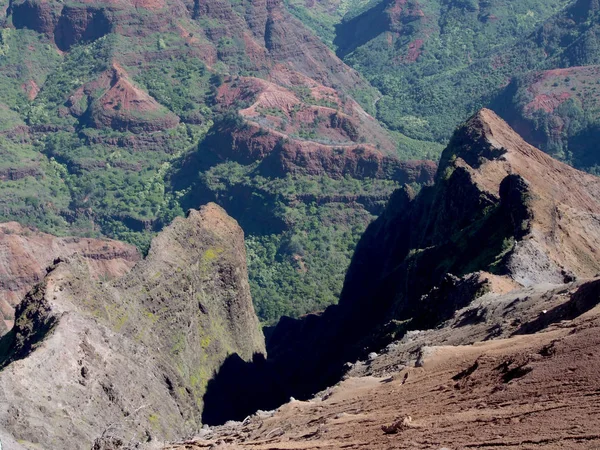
(493, 188)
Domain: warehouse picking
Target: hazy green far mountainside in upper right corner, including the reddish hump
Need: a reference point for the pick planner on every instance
(437, 62)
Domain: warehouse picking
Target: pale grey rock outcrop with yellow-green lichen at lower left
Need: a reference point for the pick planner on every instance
(131, 357)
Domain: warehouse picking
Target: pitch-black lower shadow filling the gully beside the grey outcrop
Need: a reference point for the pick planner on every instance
(306, 355)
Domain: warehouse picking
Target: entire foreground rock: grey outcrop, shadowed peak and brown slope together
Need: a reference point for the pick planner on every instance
(498, 335)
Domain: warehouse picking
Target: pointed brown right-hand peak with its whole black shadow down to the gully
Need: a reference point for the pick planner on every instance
(502, 216)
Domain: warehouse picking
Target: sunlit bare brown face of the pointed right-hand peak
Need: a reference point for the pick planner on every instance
(564, 201)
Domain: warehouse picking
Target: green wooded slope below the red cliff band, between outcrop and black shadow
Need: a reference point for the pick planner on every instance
(302, 233)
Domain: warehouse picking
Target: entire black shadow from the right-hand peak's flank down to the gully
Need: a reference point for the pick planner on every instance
(388, 290)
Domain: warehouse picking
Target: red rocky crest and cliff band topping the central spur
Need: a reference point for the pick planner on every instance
(293, 135)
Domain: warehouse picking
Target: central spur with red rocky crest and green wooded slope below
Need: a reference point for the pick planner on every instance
(304, 169)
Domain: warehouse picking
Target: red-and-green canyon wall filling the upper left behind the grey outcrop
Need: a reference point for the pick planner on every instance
(102, 102)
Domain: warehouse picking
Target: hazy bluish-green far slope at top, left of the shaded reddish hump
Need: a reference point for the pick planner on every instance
(420, 53)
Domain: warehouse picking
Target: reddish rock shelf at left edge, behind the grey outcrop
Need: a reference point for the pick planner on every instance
(27, 253)
